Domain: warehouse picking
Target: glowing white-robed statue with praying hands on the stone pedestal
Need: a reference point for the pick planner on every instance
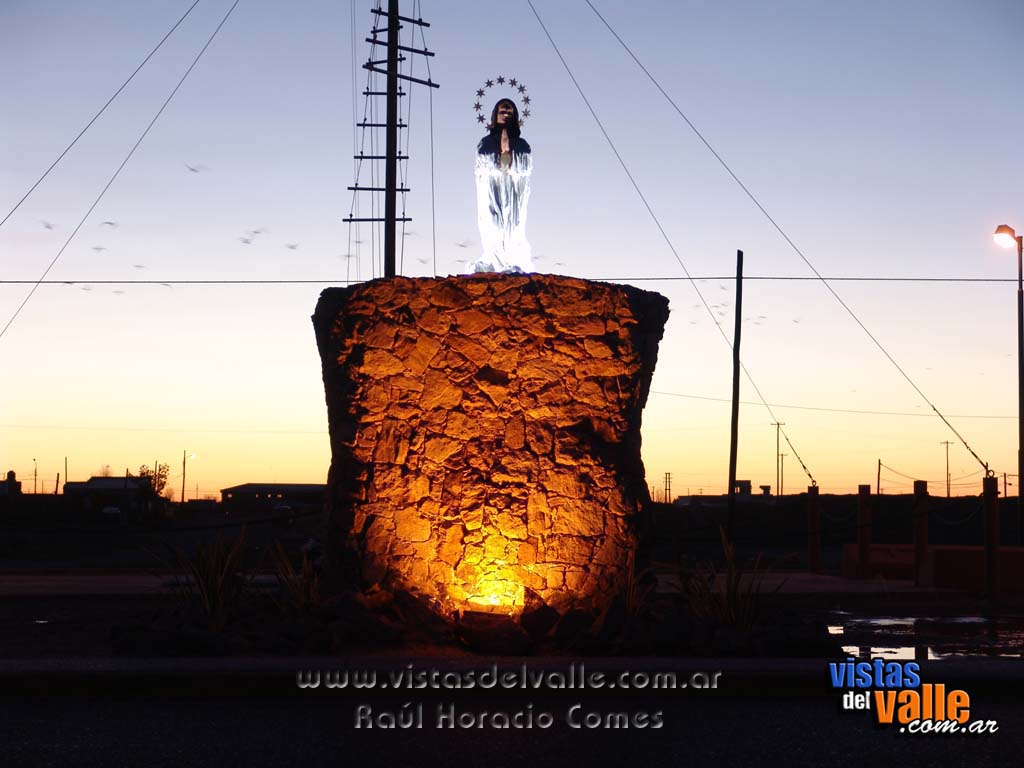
(503, 168)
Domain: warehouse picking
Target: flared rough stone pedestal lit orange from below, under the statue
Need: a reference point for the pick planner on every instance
(486, 437)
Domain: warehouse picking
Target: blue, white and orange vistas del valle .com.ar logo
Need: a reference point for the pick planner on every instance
(894, 694)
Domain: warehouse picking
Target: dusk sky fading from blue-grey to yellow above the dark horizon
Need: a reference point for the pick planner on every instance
(883, 138)
